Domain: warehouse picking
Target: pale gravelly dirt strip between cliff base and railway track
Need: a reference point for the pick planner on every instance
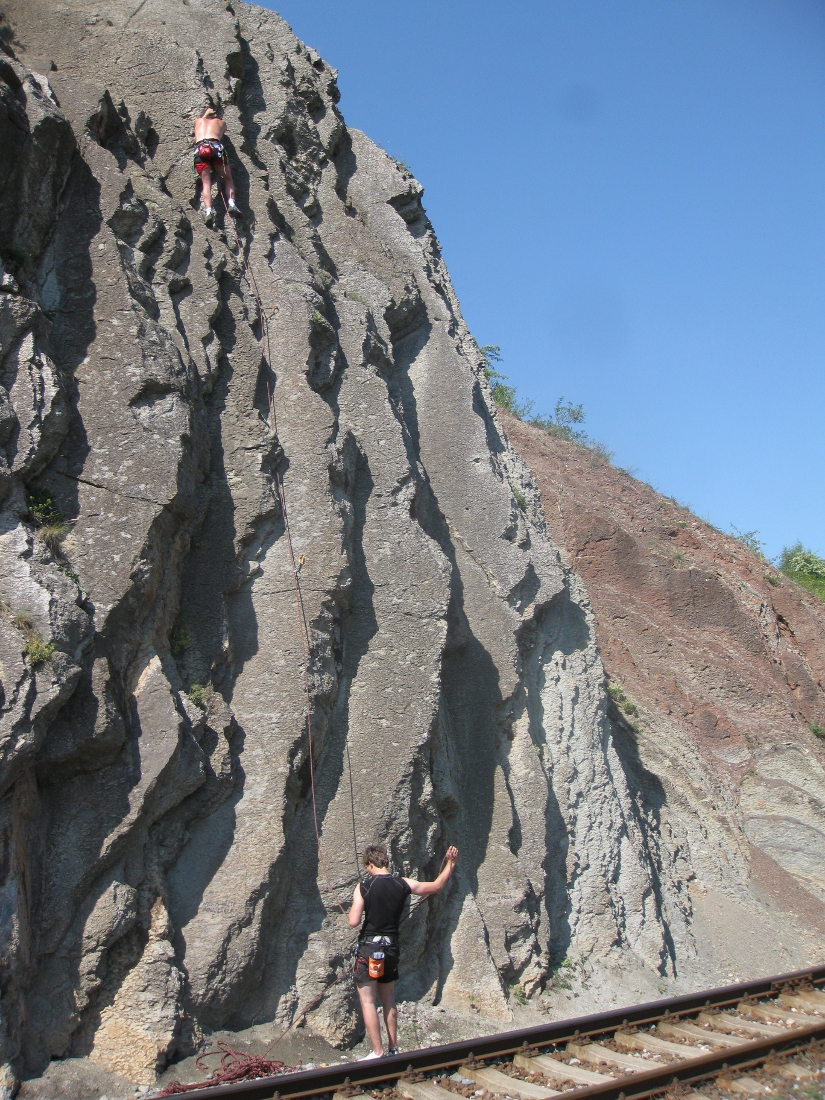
(738, 940)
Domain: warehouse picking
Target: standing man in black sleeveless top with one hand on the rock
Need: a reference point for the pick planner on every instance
(381, 899)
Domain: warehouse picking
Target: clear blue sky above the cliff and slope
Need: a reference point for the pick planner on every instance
(631, 200)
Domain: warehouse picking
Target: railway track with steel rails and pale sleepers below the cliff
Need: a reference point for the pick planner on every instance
(719, 1038)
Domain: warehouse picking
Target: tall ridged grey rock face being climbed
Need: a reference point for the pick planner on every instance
(162, 876)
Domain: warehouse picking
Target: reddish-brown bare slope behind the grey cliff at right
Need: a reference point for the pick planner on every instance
(717, 651)
